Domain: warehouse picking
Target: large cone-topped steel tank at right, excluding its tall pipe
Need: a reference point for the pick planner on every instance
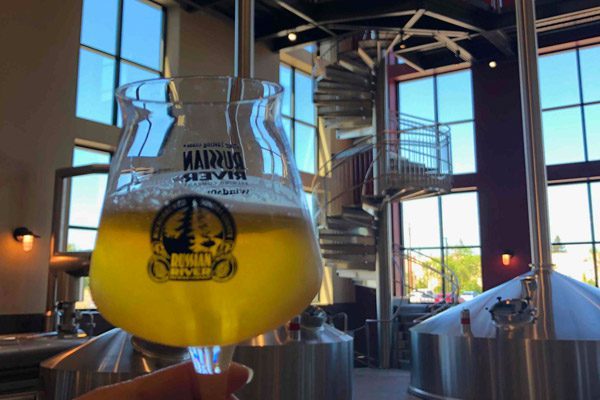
(555, 357)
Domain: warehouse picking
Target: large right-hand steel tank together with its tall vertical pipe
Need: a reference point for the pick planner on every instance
(534, 337)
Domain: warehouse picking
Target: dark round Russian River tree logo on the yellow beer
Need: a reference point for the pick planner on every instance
(192, 240)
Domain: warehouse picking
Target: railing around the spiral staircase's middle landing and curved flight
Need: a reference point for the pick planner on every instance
(416, 157)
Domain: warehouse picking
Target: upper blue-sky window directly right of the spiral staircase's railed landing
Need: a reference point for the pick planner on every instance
(445, 99)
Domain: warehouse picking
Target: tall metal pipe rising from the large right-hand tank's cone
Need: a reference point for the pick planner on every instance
(535, 164)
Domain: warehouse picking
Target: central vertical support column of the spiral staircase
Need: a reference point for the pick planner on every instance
(384, 223)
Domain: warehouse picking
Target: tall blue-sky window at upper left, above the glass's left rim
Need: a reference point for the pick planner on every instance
(121, 42)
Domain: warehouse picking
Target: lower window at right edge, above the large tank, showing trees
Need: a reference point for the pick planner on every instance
(574, 211)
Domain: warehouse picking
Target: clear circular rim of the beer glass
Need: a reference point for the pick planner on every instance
(121, 91)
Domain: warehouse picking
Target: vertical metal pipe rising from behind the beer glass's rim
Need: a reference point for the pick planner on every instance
(244, 38)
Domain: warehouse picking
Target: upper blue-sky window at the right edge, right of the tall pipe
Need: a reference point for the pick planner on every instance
(570, 97)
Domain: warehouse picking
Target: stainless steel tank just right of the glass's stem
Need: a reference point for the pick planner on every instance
(301, 365)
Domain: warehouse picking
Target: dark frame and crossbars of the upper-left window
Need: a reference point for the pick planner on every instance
(117, 56)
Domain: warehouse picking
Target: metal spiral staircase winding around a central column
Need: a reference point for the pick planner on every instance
(401, 158)
